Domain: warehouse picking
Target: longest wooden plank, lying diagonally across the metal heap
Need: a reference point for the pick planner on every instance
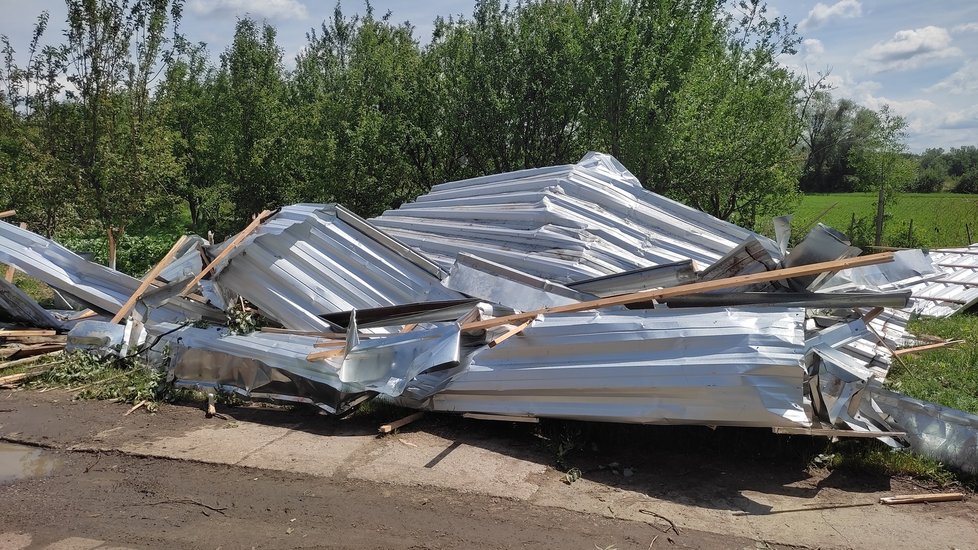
(684, 290)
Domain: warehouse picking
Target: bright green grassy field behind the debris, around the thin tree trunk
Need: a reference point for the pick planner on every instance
(938, 218)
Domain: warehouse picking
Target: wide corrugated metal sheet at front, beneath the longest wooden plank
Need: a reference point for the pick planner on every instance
(735, 366)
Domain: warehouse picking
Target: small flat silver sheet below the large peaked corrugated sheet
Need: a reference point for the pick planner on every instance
(507, 286)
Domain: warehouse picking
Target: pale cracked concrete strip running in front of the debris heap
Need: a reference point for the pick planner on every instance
(470, 456)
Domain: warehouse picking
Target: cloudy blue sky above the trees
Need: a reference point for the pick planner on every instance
(921, 58)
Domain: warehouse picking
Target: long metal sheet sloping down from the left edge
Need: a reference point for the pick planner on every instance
(94, 284)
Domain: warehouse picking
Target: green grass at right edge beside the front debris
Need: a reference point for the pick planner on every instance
(948, 375)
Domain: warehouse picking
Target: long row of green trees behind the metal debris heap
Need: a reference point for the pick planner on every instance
(127, 126)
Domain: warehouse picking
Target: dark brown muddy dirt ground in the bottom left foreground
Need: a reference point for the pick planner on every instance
(144, 502)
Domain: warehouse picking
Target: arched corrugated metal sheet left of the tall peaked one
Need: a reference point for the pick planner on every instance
(309, 260)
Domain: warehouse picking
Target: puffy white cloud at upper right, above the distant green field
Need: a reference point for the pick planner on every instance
(911, 48)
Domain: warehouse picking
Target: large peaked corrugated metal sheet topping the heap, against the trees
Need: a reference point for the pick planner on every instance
(563, 223)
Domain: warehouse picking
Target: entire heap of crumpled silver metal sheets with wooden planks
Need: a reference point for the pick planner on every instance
(562, 292)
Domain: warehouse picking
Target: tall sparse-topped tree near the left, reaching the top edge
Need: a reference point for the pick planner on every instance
(123, 153)
